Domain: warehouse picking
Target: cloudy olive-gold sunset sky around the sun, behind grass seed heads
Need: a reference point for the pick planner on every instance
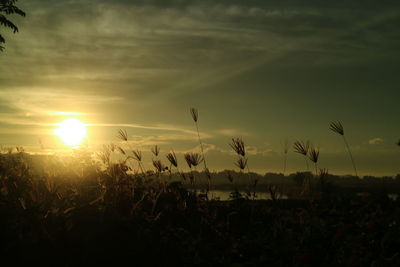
(266, 71)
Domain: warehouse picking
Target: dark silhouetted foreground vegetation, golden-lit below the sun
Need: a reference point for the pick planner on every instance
(73, 212)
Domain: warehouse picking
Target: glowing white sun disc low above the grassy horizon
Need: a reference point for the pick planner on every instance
(72, 132)
